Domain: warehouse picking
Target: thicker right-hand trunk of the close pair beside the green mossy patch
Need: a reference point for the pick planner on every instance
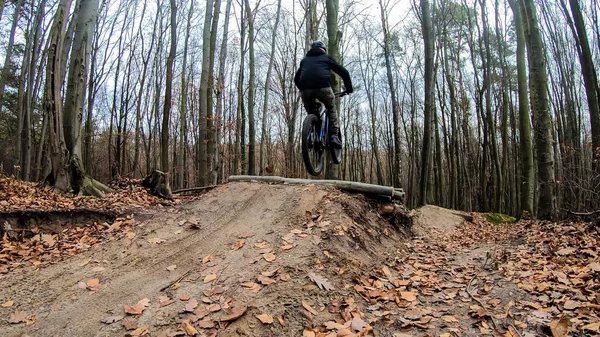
(538, 80)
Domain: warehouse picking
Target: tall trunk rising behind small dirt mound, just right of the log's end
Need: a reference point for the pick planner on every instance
(428, 38)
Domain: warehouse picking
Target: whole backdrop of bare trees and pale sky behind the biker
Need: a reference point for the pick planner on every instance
(468, 104)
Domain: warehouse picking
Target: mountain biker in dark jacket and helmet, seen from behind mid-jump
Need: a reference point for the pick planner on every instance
(312, 79)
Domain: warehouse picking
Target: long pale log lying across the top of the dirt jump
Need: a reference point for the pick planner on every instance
(394, 193)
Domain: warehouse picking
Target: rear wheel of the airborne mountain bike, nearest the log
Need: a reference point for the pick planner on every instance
(312, 146)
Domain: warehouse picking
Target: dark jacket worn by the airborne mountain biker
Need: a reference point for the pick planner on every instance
(314, 71)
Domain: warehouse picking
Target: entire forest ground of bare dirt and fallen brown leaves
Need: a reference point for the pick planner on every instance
(252, 259)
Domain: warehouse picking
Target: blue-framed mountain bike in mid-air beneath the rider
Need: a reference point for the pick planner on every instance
(315, 139)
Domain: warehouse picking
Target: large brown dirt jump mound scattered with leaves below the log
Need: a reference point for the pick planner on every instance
(241, 255)
